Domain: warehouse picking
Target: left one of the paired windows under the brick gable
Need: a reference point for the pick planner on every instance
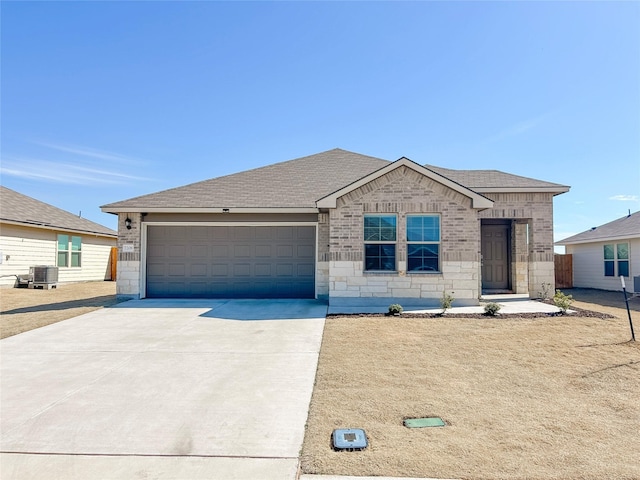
(380, 242)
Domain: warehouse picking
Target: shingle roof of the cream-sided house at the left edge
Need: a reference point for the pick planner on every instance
(18, 208)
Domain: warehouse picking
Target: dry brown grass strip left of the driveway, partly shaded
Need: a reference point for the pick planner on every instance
(23, 309)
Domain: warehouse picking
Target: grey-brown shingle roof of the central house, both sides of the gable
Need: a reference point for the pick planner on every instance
(300, 183)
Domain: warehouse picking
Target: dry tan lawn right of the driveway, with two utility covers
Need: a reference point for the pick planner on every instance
(545, 398)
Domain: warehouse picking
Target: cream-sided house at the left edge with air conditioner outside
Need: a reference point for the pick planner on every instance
(35, 233)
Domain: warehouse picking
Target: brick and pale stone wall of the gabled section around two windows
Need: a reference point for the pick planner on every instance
(401, 192)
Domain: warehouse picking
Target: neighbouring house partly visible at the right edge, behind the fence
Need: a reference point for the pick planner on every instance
(602, 254)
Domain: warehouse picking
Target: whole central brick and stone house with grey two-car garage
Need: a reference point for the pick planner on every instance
(343, 227)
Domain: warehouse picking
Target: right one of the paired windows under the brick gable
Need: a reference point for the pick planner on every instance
(423, 243)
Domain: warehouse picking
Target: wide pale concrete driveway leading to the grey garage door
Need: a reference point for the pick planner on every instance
(161, 389)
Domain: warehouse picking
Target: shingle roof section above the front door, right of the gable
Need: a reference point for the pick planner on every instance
(481, 180)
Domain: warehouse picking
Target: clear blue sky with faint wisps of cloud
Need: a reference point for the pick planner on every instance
(103, 101)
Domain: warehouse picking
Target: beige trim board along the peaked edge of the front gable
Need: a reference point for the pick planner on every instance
(478, 201)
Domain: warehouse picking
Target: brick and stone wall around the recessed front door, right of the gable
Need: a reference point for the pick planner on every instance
(536, 210)
